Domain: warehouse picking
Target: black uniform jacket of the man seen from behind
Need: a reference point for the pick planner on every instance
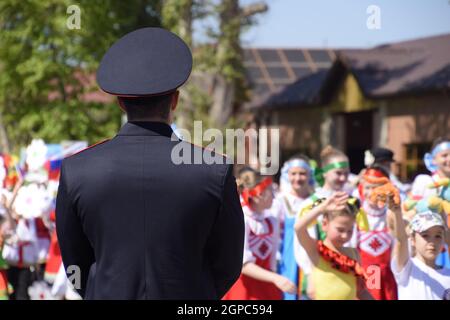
(139, 225)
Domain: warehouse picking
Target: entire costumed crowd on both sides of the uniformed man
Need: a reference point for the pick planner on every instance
(320, 233)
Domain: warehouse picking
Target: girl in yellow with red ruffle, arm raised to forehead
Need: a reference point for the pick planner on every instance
(336, 273)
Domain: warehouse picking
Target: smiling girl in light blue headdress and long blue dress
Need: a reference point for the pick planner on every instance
(296, 182)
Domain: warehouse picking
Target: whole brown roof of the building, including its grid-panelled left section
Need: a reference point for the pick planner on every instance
(415, 66)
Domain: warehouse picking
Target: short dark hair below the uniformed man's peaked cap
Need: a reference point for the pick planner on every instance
(145, 107)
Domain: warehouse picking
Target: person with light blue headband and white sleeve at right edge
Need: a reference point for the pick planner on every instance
(438, 163)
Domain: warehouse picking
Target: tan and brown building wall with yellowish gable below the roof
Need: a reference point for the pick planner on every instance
(398, 121)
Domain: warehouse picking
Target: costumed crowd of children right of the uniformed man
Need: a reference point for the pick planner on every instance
(322, 235)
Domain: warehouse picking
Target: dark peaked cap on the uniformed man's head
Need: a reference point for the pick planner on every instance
(145, 62)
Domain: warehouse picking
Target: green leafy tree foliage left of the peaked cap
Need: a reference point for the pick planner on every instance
(47, 69)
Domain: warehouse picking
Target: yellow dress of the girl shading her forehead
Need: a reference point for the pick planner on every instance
(332, 284)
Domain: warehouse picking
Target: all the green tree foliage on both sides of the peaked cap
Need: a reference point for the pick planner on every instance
(47, 70)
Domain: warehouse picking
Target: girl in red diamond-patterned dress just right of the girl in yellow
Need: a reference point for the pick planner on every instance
(375, 245)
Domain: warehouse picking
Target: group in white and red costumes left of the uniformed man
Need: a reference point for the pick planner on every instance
(30, 260)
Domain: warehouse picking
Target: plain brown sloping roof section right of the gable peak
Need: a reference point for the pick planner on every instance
(411, 66)
